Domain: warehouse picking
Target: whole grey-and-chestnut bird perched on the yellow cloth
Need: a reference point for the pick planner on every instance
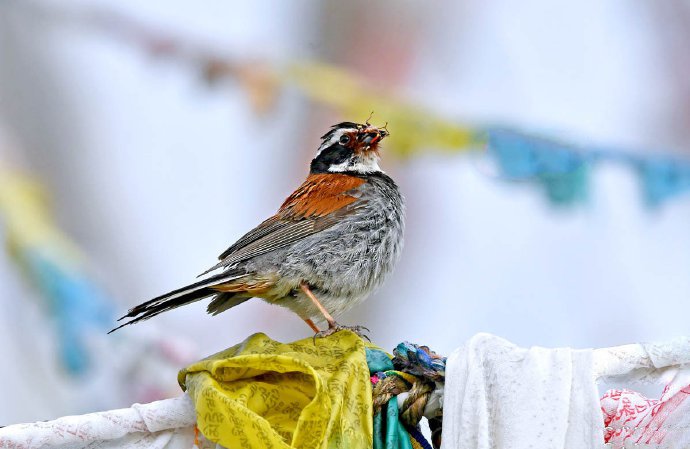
(330, 244)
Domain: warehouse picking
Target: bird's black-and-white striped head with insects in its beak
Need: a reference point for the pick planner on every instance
(349, 147)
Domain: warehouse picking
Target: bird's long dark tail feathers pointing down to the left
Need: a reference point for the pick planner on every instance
(176, 298)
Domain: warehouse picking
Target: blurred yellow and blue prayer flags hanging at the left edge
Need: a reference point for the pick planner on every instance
(54, 264)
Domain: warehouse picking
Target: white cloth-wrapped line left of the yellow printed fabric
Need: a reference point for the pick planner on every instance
(162, 424)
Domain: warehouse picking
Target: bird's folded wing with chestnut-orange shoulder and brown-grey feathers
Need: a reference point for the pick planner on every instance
(316, 205)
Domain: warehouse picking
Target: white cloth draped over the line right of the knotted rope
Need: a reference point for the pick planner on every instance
(500, 396)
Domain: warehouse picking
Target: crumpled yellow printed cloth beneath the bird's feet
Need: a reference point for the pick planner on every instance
(312, 393)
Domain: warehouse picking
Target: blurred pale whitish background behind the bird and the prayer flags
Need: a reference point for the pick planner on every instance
(153, 173)
